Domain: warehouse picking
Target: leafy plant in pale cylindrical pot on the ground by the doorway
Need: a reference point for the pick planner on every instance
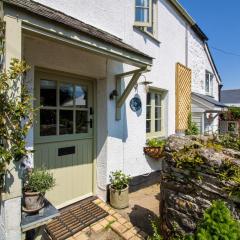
(119, 189)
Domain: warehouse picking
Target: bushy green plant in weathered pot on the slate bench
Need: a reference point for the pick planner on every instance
(37, 182)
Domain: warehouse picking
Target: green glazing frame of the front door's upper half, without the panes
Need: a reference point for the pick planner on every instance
(62, 79)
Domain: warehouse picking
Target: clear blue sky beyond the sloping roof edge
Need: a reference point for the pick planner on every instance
(220, 21)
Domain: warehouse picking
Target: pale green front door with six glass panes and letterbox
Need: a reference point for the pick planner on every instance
(64, 134)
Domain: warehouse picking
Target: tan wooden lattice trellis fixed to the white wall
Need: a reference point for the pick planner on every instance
(183, 96)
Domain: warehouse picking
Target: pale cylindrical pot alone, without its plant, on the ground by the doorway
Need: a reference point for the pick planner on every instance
(119, 198)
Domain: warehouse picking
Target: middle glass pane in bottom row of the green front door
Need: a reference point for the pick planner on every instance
(65, 122)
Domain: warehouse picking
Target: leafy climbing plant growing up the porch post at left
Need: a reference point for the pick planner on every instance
(16, 115)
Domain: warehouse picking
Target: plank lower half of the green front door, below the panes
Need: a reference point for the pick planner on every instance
(73, 172)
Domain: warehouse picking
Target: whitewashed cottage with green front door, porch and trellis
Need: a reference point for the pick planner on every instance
(106, 75)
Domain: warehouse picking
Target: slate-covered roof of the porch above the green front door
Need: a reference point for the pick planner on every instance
(77, 25)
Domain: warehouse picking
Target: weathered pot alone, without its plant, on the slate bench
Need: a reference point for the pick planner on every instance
(33, 201)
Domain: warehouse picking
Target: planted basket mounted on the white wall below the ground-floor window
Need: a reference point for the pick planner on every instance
(155, 148)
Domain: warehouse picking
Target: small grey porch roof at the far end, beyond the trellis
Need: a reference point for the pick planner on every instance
(209, 103)
